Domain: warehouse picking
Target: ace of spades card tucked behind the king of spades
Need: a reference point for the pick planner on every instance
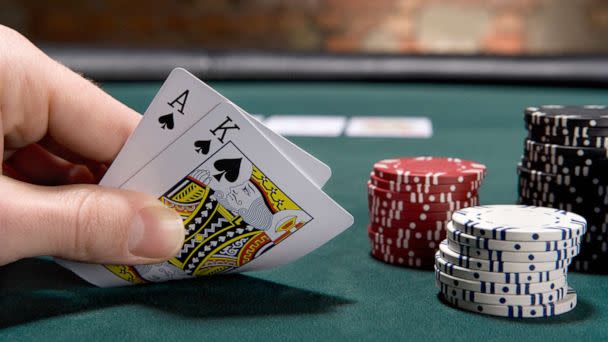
(180, 102)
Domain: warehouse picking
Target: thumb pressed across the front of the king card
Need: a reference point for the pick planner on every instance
(85, 223)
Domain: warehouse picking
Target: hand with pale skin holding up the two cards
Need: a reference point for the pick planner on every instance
(60, 134)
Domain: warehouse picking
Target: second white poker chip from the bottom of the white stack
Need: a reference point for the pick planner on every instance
(502, 299)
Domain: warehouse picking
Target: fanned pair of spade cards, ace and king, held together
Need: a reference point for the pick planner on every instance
(240, 189)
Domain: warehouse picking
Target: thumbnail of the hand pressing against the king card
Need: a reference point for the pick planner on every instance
(156, 232)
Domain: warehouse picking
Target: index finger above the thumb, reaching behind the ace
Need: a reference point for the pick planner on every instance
(42, 97)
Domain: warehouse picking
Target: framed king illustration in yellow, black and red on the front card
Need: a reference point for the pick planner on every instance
(232, 214)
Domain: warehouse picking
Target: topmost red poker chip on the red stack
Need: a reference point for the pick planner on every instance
(429, 170)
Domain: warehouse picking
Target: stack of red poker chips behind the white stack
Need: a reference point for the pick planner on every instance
(411, 201)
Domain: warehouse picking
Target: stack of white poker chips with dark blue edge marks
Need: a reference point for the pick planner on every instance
(509, 260)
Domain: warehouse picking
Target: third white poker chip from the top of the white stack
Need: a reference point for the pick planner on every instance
(493, 255)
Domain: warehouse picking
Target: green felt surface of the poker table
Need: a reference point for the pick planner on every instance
(337, 292)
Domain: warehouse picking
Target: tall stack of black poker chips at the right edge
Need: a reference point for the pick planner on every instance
(565, 166)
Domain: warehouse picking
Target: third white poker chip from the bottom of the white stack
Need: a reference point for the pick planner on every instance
(499, 288)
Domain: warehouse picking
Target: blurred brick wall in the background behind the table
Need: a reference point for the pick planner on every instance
(388, 26)
